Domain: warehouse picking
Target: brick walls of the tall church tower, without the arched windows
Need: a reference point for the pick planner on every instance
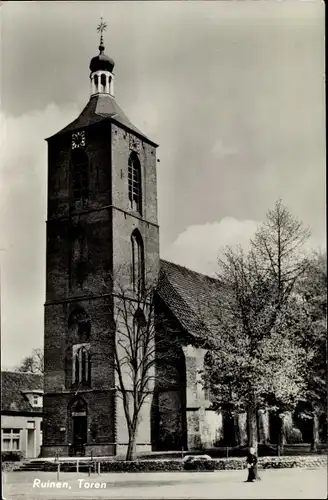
(85, 245)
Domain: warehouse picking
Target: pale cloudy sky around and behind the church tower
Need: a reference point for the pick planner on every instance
(232, 91)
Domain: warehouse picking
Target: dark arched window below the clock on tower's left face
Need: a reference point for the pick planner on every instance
(80, 175)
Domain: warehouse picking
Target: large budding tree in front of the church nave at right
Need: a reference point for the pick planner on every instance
(256, 362)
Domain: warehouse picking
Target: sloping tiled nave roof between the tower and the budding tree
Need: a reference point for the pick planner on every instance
(191, 297)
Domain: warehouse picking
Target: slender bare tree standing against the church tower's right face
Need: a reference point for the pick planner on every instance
(138, 348)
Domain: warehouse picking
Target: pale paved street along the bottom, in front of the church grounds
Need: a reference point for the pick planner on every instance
(283, 483)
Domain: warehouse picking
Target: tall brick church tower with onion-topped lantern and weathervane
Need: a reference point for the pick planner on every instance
(101, 223)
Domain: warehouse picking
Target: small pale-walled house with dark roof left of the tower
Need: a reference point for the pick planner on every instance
(21, 413)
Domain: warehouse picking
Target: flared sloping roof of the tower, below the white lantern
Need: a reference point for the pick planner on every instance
(102, 107)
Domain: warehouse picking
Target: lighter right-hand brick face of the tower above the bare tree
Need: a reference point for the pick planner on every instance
(125, 221)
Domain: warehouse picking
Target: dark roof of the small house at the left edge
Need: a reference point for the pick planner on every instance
(14, 385)
